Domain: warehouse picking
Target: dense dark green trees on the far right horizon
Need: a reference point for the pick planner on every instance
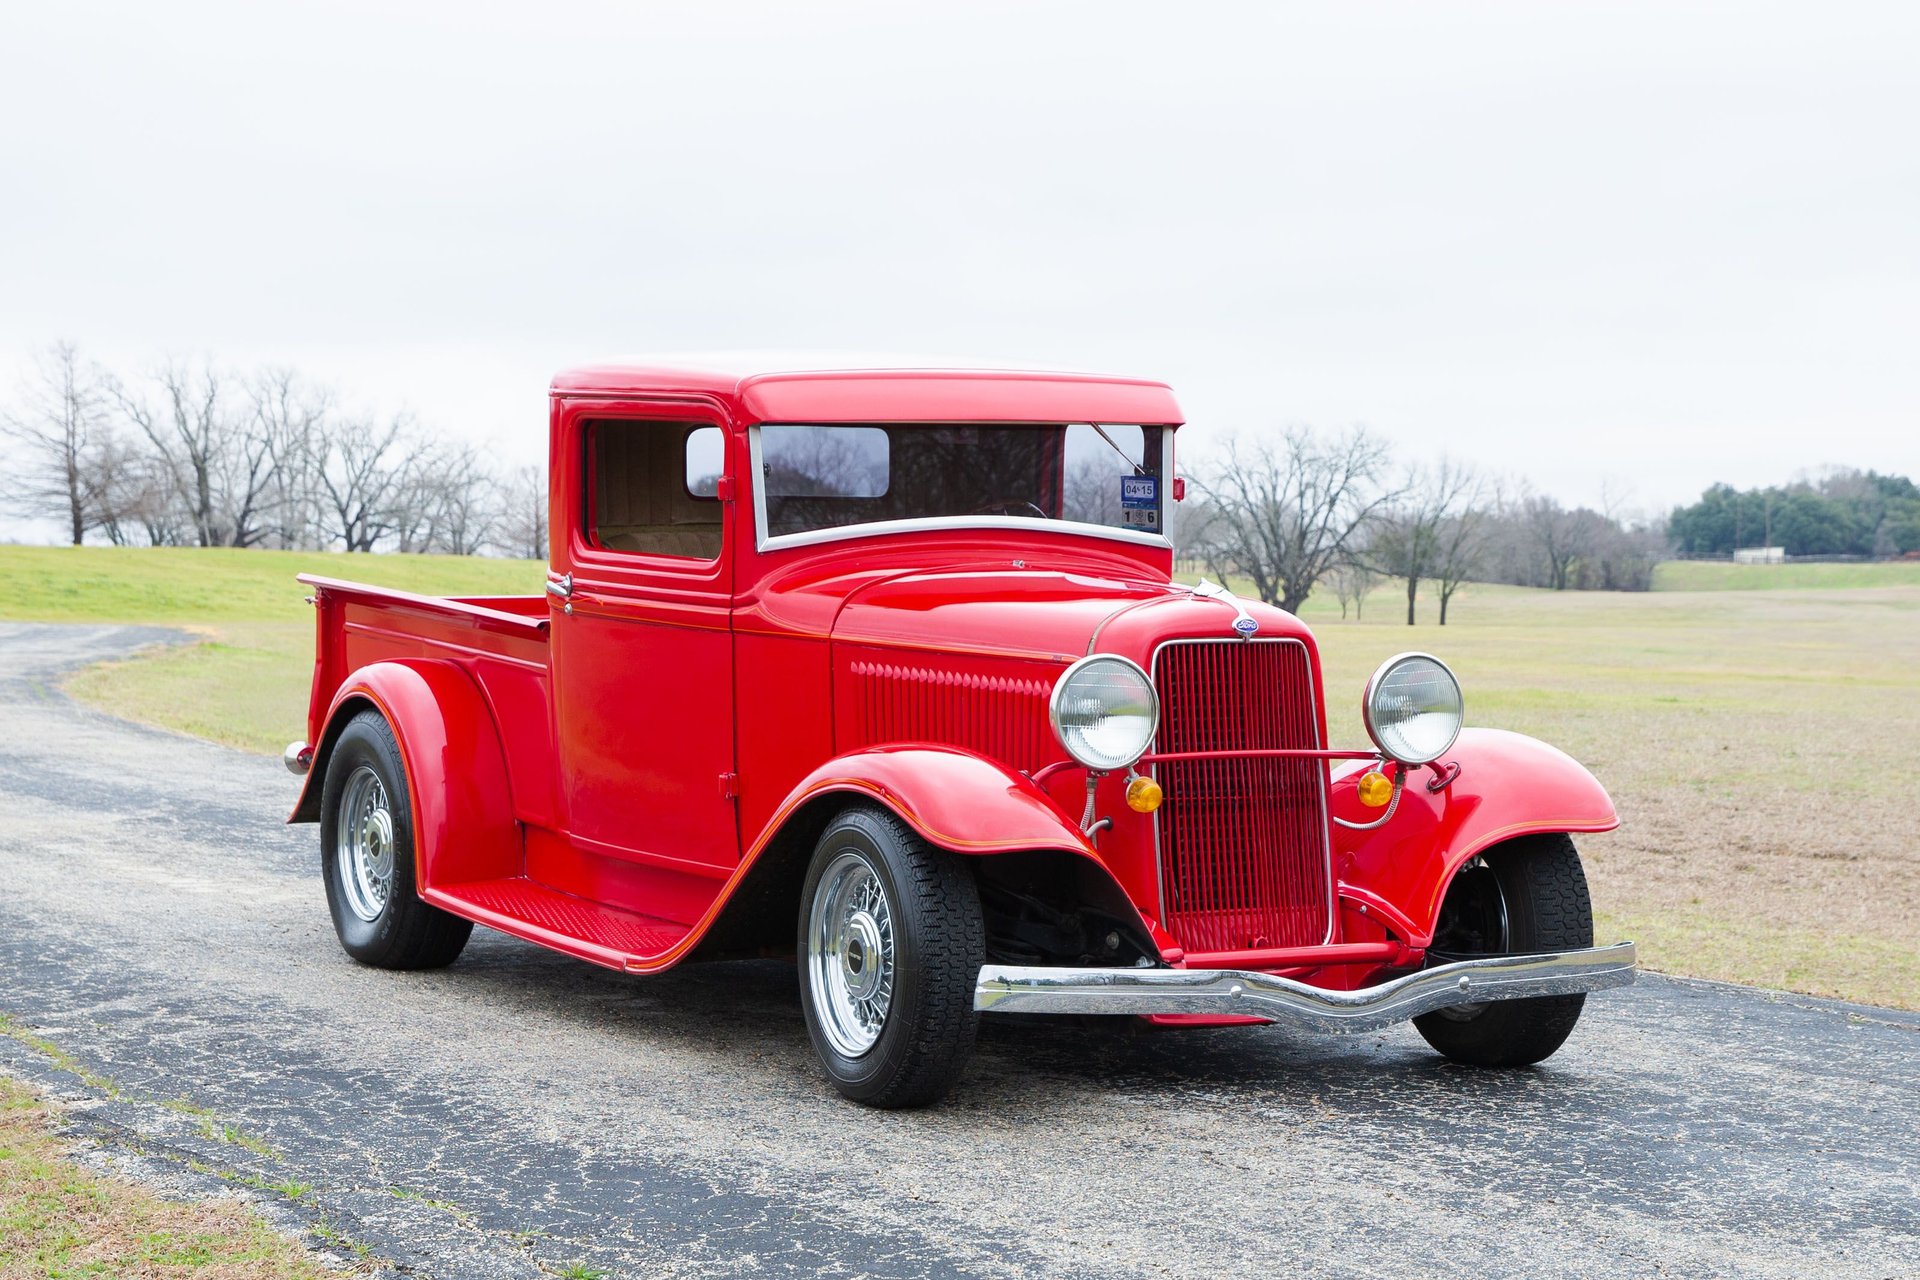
(1840, 513)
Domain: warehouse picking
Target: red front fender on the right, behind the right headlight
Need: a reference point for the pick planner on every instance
(1508, 786)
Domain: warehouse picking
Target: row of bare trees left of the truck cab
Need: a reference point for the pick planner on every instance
(199, 456)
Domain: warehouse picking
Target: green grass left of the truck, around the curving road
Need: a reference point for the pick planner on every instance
(245, 684)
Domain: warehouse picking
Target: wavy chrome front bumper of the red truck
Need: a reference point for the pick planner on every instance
(1019, 989)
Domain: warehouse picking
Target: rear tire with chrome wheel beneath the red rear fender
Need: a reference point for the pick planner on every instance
(398, 932)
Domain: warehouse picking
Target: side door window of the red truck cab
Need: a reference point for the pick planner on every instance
(652, 488)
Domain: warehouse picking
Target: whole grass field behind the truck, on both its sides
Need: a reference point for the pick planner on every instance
(1769, 834)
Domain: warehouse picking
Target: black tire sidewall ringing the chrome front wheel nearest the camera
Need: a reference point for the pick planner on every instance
(869, 1074)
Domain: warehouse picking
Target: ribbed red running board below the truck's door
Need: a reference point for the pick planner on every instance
(531, 911)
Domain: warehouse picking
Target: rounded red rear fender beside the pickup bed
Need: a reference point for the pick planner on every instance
(464, 826)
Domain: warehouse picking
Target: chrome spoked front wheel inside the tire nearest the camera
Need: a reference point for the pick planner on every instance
(850, 955)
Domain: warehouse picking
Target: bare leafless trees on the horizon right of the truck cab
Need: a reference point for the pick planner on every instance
(1308, 510)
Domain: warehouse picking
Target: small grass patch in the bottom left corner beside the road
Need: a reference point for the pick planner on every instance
(60, 1220)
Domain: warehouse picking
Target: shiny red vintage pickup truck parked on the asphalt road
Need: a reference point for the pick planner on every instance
(886, 669)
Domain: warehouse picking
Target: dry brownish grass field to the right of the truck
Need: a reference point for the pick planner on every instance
(1754, 744)
